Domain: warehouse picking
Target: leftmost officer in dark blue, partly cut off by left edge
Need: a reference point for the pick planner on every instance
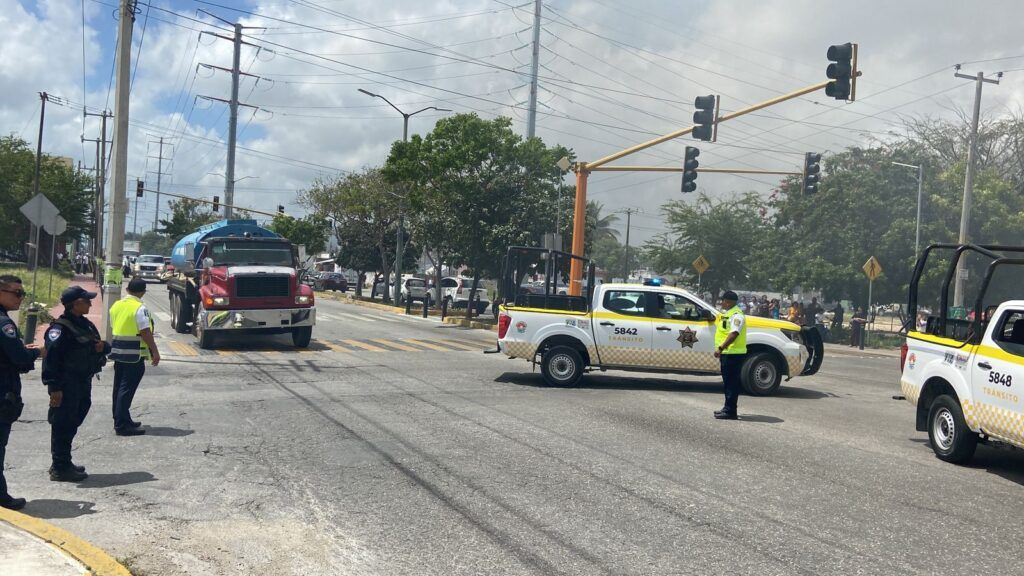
(16, 359)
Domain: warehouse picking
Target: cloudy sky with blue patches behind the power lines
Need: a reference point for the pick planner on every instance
(613, 74)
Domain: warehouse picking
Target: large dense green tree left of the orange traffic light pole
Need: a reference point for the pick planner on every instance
(479, 188)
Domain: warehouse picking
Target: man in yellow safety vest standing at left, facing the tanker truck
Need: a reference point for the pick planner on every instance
(132, 347)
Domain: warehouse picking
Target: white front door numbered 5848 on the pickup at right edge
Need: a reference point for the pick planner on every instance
(998, 378)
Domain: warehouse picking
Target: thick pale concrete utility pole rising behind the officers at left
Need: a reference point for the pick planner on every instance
(119, 200)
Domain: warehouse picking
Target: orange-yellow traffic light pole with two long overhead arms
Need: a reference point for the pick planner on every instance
(583, 171)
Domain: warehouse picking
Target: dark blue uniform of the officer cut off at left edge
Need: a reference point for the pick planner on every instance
(15, 361)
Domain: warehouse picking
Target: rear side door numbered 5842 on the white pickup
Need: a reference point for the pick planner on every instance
(623, 330)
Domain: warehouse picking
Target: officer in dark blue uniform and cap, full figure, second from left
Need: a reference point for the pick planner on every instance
(75, 354)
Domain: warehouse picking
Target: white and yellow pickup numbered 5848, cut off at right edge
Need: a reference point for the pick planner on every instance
(966, 377)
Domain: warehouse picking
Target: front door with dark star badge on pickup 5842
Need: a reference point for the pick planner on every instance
(685, 340)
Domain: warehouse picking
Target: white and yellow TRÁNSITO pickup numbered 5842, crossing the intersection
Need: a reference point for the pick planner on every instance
(648, 328)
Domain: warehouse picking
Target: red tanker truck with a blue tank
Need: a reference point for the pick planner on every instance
(236, 276)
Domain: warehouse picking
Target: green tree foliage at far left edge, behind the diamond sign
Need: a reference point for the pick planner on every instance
(70, 191)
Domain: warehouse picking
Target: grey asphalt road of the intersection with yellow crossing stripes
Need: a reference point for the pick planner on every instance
(395, 446)
